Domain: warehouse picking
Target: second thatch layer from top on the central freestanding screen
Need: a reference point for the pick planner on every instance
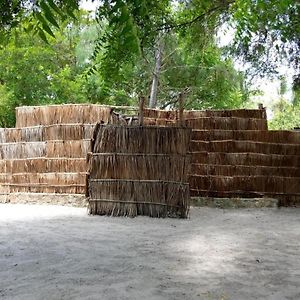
(139, 167)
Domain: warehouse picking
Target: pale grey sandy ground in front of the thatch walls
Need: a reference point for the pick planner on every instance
(52, 252)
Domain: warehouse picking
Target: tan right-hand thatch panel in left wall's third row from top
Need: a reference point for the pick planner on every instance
(68, 149)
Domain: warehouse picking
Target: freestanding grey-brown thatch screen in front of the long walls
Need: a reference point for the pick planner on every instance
(139, 170)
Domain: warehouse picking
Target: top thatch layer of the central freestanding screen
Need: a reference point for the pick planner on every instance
(137, 139)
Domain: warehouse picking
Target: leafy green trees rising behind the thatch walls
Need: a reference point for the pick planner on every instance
(116, 58)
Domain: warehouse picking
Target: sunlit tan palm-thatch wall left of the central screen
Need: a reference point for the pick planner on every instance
(47, 151)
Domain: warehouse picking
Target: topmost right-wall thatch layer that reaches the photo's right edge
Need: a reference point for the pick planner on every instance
(268, 136)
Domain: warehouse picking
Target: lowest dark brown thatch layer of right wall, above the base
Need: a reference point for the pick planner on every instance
(260, 184)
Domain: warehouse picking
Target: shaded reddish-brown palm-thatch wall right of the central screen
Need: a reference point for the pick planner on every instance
(235, 155)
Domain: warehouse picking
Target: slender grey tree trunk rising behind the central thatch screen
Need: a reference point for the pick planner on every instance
(156, 73)
